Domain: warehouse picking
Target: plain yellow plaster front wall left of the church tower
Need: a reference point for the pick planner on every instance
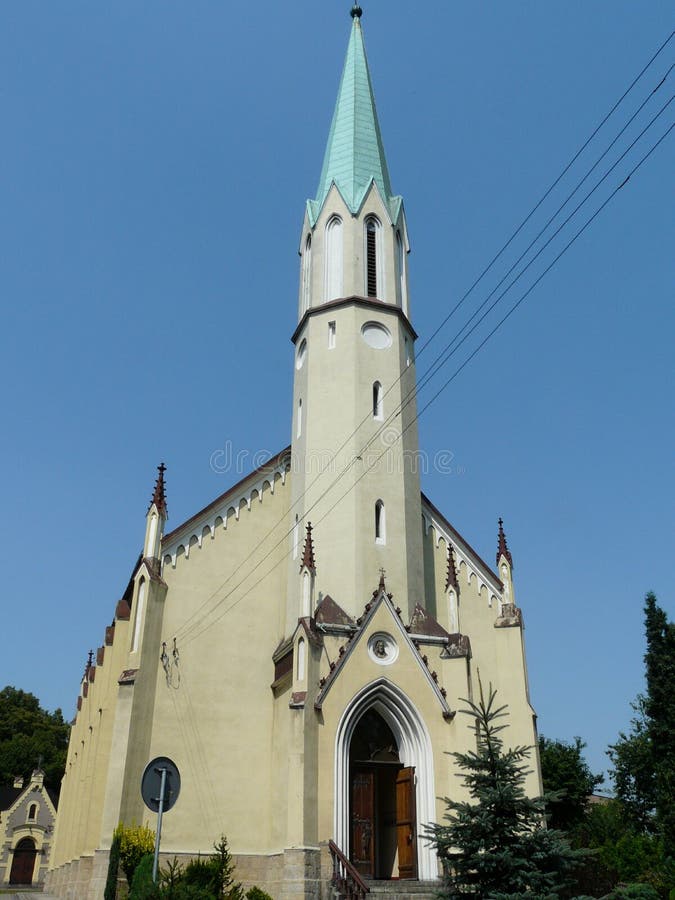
(218, 708)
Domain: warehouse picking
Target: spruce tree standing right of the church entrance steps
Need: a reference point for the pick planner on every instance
(497, 845)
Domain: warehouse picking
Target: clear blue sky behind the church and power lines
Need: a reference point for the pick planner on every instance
(155, 162)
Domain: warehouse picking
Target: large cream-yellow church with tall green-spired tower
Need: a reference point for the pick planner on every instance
(300, 647)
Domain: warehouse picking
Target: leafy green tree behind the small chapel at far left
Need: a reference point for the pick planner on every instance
(30, 735)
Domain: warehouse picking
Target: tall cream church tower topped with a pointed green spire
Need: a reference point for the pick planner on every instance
(354, 455)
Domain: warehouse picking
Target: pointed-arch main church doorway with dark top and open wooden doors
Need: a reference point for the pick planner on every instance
(383, 828)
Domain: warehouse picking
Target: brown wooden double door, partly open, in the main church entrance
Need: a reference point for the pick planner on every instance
(383, 822)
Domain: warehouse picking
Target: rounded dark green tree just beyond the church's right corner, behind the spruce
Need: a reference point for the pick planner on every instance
(568, 781)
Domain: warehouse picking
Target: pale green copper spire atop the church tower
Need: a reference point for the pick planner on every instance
(354, 153)
